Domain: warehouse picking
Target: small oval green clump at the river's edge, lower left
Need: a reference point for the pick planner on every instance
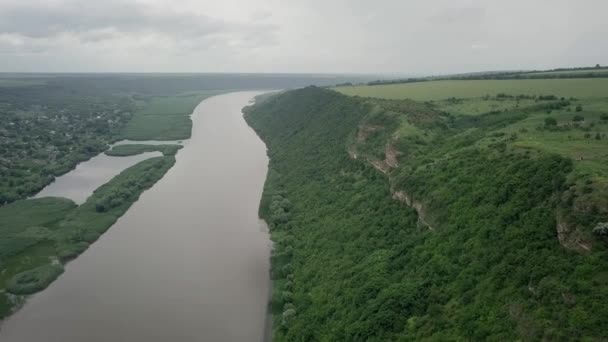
(34, 280)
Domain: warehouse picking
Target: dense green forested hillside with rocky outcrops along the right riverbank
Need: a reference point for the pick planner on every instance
(394, 220)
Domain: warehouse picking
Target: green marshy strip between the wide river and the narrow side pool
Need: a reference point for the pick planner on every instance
(38, 235)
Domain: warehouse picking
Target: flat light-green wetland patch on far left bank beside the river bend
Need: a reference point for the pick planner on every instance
(164, 117)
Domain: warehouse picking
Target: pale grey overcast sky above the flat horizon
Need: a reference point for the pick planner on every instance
(328, 36)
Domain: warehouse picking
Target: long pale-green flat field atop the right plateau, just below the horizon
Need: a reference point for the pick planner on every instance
(441, 90)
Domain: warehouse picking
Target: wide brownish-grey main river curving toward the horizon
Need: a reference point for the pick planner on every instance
(188, 262)
